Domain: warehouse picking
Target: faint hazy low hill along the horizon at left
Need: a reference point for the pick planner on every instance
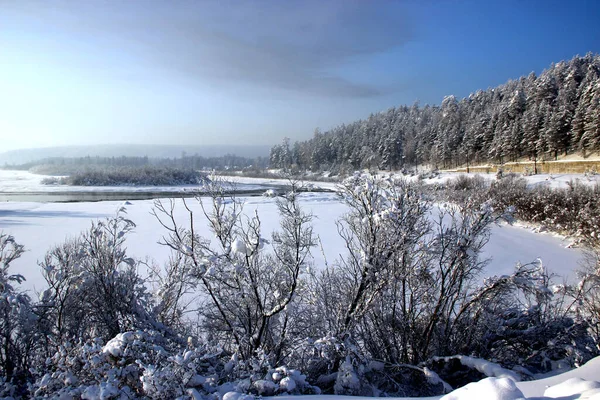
(22, 156)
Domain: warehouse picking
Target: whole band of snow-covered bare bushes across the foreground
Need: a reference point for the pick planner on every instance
(402, 312)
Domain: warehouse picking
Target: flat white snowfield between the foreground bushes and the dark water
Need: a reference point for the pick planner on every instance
(39, 226)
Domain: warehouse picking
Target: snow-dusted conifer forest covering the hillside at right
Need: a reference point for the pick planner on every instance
(539, 117)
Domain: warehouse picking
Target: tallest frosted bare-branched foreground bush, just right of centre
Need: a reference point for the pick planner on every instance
(404, 291)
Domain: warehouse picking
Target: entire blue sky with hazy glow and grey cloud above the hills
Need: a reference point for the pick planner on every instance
(252, 72)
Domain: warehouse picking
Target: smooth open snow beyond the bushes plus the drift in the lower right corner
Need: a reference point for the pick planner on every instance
(39, 226)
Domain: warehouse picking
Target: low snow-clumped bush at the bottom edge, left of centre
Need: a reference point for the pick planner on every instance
(132, 364)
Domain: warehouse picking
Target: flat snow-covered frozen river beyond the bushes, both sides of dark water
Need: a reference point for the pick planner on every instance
(40, 220)
